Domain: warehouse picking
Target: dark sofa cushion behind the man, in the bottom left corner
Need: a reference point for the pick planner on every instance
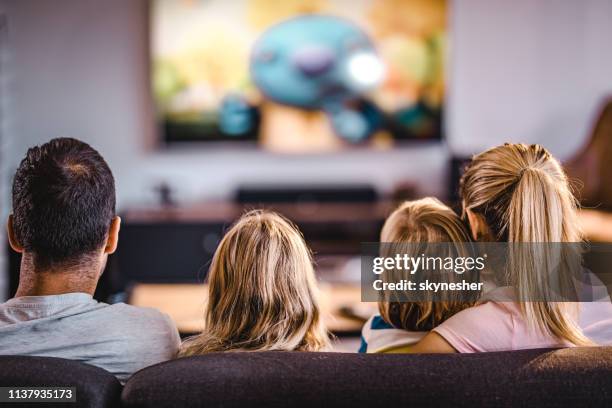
(95, 387)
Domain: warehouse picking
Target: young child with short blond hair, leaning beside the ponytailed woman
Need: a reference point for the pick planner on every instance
(399, 323)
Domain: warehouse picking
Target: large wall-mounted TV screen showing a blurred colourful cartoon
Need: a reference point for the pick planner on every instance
(299, 76)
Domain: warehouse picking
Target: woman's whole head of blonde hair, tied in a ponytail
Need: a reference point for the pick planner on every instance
(524, 196)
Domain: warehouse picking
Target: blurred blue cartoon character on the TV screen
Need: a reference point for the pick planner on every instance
(321, 63)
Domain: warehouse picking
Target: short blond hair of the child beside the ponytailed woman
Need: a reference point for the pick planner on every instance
(408, 230)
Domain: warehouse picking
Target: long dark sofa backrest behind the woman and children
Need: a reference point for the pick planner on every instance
(535, 378)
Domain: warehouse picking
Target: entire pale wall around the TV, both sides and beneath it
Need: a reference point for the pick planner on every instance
(521, 70)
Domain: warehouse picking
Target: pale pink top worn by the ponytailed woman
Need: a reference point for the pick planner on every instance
(497, 326)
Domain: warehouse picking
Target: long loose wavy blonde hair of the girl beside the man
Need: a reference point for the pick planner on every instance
(261, 291)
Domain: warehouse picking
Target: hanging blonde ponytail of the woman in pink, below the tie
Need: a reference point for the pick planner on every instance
(536, 216)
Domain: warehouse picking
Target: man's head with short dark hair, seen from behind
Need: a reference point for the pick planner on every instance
(63, 206)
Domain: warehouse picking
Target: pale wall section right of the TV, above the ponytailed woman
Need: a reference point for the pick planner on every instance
(528, 70)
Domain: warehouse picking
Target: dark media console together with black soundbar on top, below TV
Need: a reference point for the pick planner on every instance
(176, 244)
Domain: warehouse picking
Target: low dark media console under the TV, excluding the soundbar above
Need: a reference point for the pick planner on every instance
(166, 246)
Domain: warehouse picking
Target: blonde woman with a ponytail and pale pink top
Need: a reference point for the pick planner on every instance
(519, 193)
